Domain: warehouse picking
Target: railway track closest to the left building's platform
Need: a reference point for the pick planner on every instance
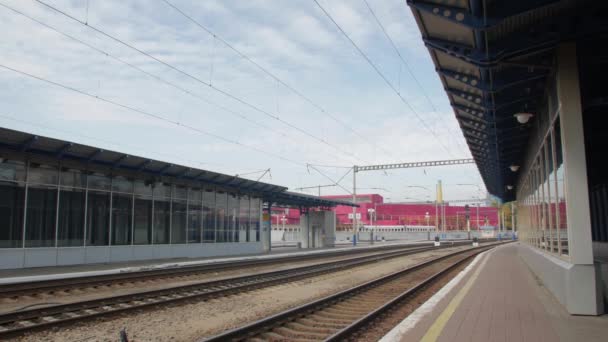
(82, 283)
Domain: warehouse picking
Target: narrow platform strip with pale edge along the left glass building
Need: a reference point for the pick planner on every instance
(74, 271)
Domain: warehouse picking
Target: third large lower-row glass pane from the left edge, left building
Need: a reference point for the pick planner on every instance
(71, 217)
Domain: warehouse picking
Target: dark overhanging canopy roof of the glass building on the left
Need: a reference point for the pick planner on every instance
(26, 143)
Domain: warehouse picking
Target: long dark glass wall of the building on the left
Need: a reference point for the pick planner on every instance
(47, 206)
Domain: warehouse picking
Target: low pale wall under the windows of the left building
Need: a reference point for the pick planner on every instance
(11, 258)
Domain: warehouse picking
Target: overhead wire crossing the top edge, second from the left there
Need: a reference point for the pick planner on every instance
(274, 76)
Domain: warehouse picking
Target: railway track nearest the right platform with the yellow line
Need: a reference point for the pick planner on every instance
(341, 316)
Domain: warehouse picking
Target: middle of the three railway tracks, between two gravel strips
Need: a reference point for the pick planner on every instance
(40, 318)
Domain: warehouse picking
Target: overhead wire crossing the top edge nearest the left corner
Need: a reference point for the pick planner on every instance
(197, 79)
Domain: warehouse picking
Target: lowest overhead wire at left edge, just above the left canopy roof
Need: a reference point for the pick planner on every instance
(151, 115)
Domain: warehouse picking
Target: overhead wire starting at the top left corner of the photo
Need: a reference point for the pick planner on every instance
(154, 76)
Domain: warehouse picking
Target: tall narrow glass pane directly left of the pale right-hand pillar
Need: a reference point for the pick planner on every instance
(560, 193)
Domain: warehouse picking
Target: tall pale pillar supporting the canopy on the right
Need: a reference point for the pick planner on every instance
(575, 162)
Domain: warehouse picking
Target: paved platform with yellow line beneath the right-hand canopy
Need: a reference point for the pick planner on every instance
(497, 298)
